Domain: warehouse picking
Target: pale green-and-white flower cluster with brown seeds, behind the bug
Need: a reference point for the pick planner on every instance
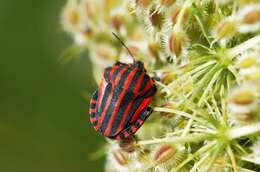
(206, 54)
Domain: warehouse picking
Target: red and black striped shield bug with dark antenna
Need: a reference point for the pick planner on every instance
(120, 105)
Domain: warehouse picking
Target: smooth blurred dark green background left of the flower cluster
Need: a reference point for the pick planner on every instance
(44, 123)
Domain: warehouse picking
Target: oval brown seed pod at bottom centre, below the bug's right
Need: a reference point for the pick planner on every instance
(164, 153)
